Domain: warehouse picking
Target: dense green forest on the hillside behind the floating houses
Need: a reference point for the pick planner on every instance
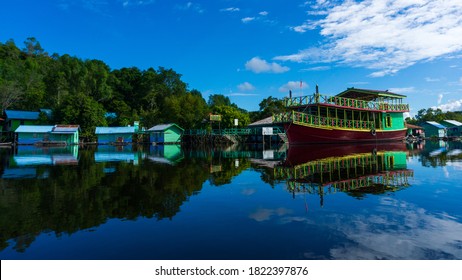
(89, 93)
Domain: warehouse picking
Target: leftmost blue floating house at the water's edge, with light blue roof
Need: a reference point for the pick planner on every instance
(47, 134)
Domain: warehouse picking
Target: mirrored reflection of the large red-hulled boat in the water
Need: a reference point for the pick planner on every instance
(355, 169)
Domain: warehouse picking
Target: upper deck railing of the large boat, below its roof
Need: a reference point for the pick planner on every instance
(345, 102)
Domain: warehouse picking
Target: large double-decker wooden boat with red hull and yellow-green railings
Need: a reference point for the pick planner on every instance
(354, 115)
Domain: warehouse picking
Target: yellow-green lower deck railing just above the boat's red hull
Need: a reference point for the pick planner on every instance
(320, 121)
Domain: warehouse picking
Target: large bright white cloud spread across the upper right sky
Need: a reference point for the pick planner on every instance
(384, 35)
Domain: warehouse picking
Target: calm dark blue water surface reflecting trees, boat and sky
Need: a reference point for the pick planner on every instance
(310, 202)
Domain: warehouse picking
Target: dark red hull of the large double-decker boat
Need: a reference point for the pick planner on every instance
(298, 134)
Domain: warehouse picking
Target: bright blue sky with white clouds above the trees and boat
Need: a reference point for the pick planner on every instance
(251, 49)
